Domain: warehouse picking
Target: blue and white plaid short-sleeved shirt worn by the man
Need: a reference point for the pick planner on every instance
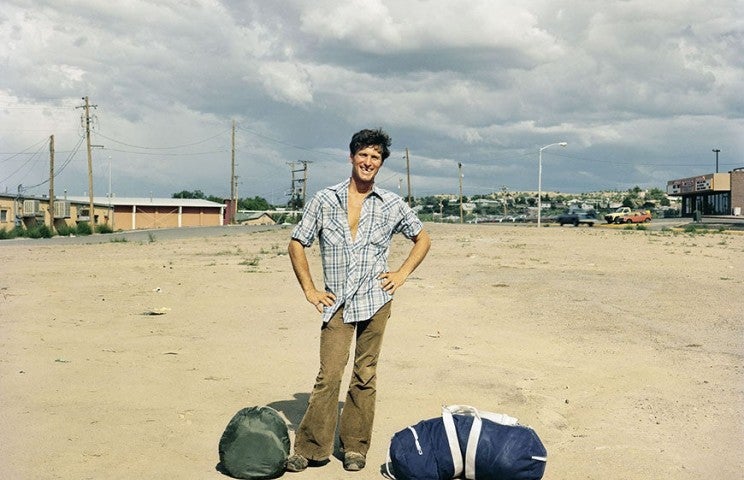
(350, 268)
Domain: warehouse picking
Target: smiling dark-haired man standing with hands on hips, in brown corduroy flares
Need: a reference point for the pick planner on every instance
(354, 222)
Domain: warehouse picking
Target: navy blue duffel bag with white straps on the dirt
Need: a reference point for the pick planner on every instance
(467, 443)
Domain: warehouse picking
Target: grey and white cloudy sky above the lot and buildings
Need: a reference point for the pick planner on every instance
(642, 91)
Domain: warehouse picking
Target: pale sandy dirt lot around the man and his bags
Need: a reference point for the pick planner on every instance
(624, 350)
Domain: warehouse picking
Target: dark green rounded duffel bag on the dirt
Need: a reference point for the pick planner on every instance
(255, 444)
